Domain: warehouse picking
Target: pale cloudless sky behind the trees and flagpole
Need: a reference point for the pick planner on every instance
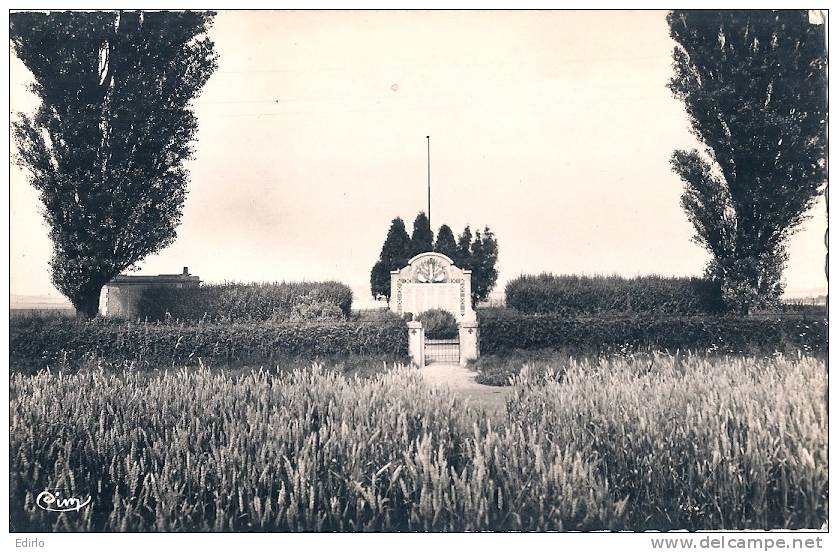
(554, 129)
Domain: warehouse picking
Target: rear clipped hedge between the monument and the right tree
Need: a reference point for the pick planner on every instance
(587, 295)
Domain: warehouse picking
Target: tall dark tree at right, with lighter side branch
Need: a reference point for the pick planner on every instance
(753, 83)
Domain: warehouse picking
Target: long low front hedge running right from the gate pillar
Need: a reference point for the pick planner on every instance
(723, 334)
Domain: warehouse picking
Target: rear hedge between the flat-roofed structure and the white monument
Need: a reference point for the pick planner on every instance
(284, 301)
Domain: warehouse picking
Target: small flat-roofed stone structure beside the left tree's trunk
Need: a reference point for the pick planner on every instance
(121, 296)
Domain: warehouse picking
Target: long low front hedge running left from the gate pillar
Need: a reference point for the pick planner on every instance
(38, 342)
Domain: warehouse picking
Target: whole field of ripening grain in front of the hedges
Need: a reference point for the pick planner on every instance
(683, 442)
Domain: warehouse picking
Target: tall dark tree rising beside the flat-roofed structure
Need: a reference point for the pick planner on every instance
(105, 148)
